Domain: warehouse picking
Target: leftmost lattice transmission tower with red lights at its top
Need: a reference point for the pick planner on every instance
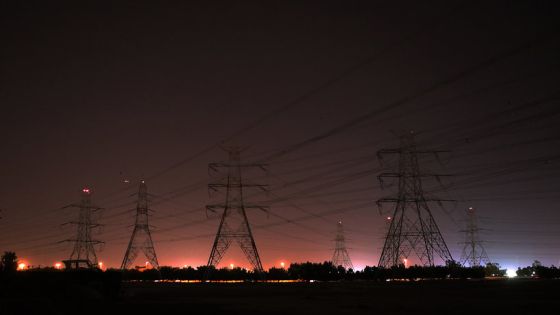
(83, 255)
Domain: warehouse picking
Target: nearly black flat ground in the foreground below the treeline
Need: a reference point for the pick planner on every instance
(515, 296)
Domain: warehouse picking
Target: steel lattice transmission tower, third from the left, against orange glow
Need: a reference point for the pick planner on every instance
(234, 225)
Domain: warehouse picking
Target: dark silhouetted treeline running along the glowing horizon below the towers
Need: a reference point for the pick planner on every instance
(307, 271)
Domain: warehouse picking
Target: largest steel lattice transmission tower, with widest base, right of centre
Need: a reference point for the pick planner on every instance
(413, 228)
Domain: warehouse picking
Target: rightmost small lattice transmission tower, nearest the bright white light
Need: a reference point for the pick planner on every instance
(473, 253)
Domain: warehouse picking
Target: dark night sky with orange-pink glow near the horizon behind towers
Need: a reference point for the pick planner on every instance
(99, 93)
